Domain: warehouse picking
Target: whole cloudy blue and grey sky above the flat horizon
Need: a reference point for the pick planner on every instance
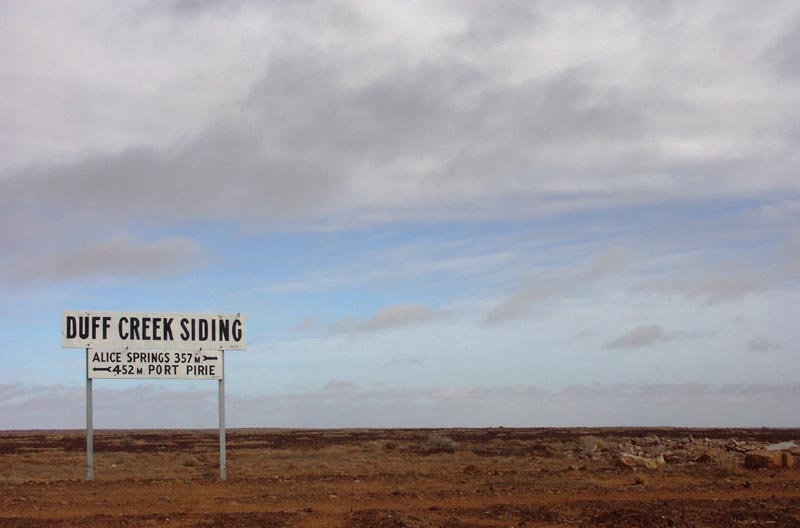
(432, 213)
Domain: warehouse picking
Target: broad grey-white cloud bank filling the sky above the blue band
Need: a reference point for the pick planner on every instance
(379, 118)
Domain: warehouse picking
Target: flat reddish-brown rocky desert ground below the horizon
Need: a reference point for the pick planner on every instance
(395, 478)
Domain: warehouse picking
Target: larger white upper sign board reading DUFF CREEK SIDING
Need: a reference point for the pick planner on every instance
(114, 331)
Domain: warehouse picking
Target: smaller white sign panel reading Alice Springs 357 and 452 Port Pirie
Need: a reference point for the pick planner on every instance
(153, 364)
